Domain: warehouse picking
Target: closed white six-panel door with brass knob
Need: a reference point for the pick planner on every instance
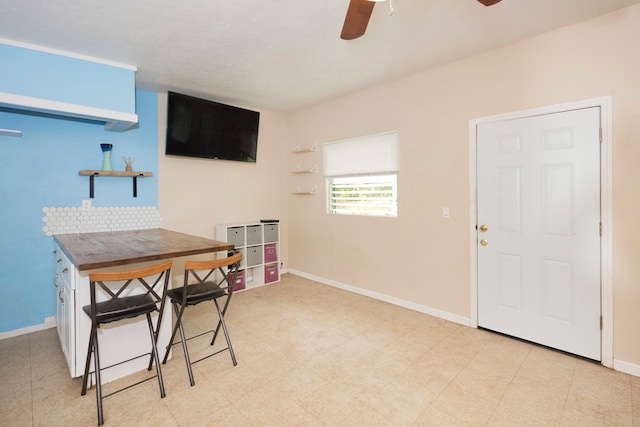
(539, 229)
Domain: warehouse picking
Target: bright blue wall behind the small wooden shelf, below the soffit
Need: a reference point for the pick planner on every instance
(41, 170)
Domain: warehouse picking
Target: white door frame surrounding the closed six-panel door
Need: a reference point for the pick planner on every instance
(606, 211)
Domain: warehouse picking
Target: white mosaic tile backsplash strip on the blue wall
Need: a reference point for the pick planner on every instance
(74, 220)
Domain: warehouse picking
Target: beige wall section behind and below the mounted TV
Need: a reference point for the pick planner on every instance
(197, 194)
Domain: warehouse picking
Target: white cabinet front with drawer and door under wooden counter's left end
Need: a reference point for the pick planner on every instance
(64, 282)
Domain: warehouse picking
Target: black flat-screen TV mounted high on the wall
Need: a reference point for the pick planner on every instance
(207, 129)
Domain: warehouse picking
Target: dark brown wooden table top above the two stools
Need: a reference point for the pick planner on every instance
(89, 251)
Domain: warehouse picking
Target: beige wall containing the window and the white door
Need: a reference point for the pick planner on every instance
(422, 258)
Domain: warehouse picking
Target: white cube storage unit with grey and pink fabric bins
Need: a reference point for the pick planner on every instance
(260, 246)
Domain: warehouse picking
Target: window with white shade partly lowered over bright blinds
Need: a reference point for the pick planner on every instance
(361, 175)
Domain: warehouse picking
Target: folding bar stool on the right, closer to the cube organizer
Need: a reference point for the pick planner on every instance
(206, 287)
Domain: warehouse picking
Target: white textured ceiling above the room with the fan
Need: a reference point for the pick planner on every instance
(280, 55)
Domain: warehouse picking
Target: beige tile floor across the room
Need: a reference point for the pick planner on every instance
(313, 355)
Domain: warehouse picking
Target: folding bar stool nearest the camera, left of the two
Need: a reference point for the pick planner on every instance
(125, 301)
